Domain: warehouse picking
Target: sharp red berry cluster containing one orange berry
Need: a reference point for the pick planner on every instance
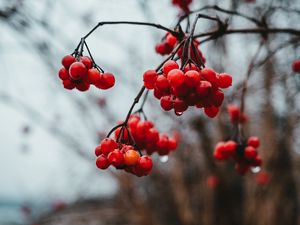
(122, 156)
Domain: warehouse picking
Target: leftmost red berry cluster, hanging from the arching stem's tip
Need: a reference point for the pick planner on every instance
(81, 72)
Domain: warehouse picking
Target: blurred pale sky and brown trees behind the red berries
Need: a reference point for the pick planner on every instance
(48, 134)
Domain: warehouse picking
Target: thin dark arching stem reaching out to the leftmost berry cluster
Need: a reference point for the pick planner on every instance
(158, 26)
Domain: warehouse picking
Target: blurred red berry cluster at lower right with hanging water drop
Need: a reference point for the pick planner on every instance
(245, 154)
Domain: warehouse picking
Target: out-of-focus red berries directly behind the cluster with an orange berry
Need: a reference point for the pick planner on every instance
(146, 136)
